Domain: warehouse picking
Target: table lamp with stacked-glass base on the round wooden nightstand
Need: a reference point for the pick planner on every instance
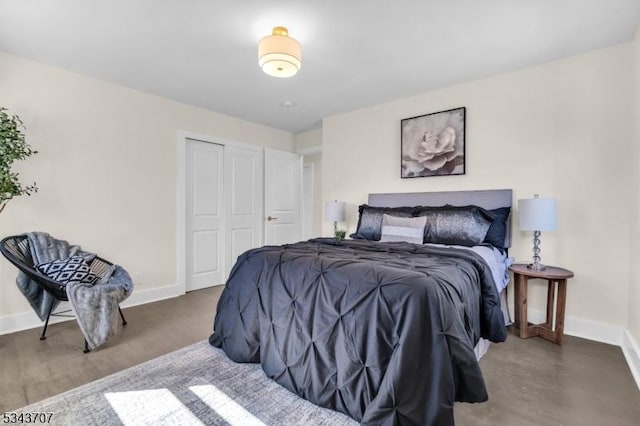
(537, 214)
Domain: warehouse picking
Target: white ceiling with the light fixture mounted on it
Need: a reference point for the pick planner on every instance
(356, 53)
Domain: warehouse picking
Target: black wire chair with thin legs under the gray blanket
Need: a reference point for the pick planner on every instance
(16, 249)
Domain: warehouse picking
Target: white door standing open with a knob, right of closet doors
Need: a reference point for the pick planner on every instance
(283, 195)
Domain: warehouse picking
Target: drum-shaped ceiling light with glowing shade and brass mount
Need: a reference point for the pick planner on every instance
(279, 55)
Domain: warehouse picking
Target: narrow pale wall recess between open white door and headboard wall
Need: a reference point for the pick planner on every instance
(308, 142)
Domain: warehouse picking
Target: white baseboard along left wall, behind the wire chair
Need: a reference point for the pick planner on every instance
(29, 319)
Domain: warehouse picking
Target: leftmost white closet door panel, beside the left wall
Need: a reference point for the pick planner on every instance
(205, 215)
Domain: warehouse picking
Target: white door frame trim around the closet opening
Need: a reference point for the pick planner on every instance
(181, 196)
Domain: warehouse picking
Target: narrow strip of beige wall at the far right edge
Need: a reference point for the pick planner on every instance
(634, 285)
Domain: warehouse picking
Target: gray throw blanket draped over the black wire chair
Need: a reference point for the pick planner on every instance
(95, 306)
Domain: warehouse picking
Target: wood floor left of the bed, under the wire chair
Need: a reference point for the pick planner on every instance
(31, 370)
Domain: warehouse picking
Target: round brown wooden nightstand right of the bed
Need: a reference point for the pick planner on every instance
(553, 275)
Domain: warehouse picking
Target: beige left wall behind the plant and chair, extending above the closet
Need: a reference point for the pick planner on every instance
(106, 168)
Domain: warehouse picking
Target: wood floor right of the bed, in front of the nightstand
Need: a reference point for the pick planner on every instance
(536, 382)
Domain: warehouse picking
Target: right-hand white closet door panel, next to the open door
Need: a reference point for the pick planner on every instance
(243, 202)
